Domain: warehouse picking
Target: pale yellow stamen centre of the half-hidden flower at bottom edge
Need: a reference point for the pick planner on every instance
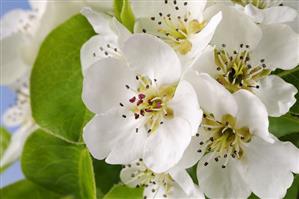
(147, 177)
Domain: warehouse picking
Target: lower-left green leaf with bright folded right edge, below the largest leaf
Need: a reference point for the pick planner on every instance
(58, 165)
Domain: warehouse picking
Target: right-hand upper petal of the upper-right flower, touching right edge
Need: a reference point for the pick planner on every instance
(278, 47)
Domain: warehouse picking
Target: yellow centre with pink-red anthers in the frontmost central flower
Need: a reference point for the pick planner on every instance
(151, 102)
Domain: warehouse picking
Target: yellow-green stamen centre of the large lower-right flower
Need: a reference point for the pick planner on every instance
(224, 138)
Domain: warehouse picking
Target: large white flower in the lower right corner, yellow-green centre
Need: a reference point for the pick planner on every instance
(237, 153)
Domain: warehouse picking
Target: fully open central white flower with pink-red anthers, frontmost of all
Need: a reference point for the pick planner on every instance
(143, 109)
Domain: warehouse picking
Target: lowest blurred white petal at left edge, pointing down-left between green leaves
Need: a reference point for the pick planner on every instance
(15, 147)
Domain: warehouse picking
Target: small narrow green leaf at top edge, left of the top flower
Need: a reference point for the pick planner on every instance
(123, 12)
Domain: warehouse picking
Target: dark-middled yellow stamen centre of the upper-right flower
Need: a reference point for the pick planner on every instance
(236, 72)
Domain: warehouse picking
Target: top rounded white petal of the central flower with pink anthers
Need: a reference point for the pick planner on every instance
(150, 56)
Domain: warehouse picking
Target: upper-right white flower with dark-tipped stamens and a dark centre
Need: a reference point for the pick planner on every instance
(245, 54)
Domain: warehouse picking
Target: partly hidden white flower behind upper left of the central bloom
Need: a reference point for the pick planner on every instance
(111, 36)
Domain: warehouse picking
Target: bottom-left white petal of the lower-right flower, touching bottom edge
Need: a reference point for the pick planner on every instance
(218, 182)
